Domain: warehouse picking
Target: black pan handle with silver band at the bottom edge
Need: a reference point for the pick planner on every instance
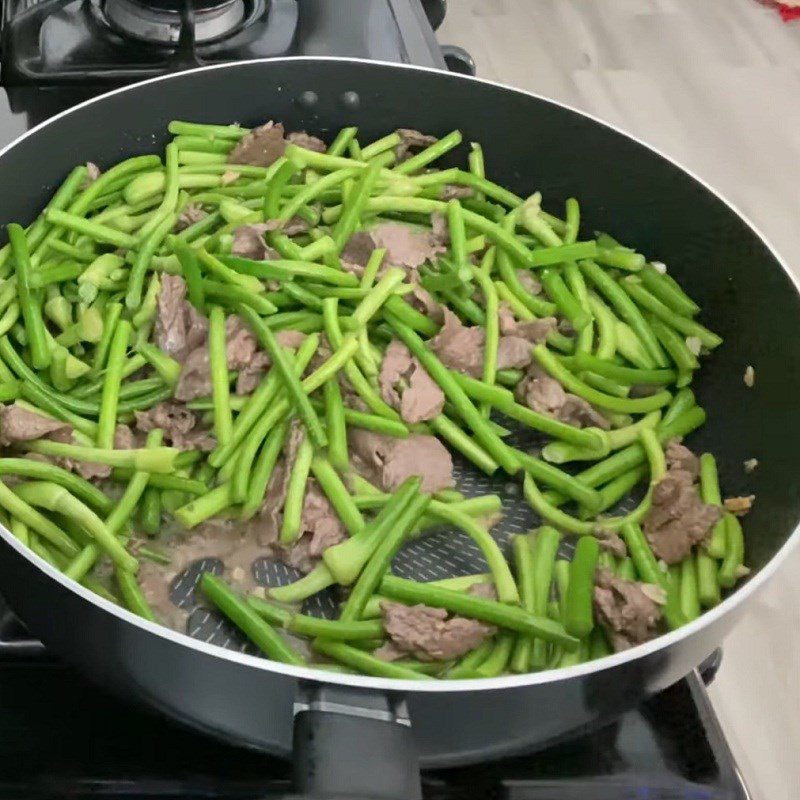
(351, 742)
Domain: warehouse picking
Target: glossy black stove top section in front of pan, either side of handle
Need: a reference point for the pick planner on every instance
(62, 737)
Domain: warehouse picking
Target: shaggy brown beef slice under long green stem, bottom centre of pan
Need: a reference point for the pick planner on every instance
(426, 633)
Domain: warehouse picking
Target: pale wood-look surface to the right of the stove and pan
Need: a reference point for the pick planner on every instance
(715, 84)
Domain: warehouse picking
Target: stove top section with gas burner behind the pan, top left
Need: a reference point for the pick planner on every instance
(56, 53)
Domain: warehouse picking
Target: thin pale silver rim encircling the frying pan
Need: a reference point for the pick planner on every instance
(754, 584)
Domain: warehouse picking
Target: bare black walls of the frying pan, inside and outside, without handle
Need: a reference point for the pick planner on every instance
(530, 143)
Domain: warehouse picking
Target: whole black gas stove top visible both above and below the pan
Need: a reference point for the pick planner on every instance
(62, 737)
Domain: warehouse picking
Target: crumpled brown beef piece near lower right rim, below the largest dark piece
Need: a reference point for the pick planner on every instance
(625, 610)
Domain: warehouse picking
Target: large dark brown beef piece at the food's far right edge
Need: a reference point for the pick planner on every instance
(678, 519)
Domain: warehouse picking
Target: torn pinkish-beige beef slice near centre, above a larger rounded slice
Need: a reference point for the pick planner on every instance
(406, 386)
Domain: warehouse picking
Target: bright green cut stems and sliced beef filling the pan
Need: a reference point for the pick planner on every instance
(270, 346)
